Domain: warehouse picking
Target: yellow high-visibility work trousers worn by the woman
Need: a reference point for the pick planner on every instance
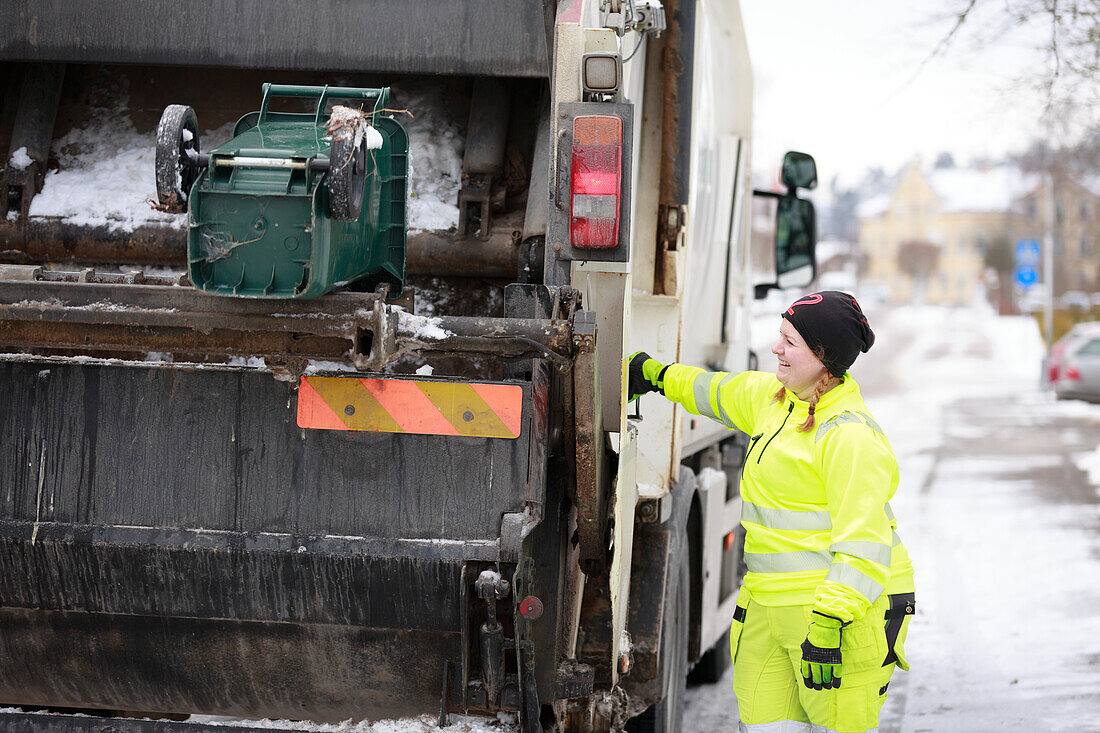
(772, 697)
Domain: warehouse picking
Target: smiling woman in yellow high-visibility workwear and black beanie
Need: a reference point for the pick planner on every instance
(821, 618)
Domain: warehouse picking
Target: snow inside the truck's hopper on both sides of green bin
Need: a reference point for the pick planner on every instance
(106, 174)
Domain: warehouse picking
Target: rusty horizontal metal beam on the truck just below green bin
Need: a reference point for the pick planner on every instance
(360, 329)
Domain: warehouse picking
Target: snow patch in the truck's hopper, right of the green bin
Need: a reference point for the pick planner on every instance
(436, 148)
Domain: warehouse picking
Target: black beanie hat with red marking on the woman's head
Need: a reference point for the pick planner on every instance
(833, 322)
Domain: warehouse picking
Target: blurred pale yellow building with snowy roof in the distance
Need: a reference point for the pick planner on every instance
(945, 220)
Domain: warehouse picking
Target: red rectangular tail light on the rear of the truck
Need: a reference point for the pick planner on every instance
(597, 182)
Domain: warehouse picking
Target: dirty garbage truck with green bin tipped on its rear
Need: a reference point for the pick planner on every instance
(338, 429)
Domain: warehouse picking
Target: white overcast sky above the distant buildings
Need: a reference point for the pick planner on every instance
(840, 81)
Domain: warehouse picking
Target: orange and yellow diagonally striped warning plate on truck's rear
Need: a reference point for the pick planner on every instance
(344, 403)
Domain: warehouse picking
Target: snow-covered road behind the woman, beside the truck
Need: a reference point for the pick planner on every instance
(1000, 509)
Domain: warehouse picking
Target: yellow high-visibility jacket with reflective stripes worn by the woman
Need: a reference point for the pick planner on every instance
(819, 527)
